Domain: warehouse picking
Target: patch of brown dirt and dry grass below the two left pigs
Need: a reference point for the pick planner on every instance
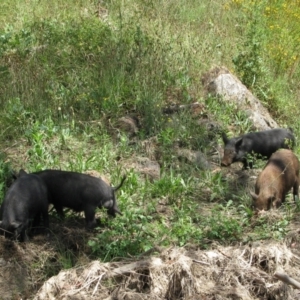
(23, 266)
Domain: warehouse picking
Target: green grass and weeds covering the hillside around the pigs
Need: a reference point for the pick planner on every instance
(69, 70)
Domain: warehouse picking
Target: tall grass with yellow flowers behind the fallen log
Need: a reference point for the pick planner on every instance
(268, 60)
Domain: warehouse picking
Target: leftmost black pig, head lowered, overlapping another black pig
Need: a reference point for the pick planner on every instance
(25, 200)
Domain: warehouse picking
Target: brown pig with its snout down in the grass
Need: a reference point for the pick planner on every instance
(280, 174)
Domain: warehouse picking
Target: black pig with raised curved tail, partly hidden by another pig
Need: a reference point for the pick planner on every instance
(80, 192)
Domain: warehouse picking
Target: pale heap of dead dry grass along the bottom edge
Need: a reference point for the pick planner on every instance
(241, 272)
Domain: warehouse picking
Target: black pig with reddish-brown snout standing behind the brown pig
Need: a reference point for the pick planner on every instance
(264, 143)
